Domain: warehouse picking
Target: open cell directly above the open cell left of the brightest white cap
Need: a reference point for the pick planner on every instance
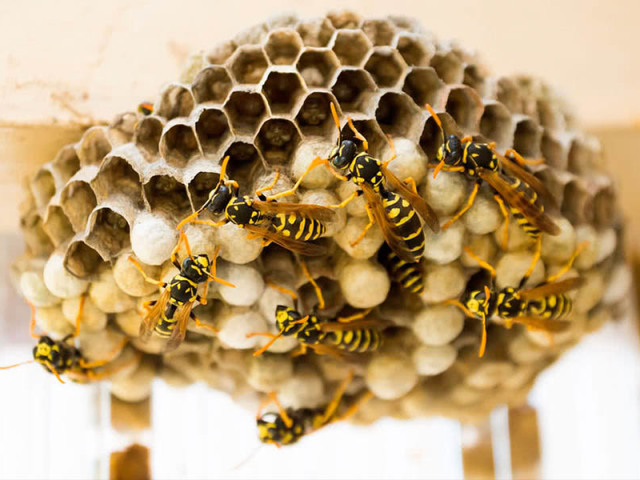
(117, 177)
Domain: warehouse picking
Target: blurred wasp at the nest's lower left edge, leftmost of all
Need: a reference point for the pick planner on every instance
(61, 357)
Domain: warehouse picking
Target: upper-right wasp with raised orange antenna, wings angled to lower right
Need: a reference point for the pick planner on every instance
(513, 185)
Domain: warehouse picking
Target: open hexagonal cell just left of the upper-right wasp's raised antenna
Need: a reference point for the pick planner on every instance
(397, 115)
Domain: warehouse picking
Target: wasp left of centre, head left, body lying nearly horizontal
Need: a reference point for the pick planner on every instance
(290, 225)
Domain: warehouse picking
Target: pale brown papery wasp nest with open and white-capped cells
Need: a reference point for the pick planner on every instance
(263, 99)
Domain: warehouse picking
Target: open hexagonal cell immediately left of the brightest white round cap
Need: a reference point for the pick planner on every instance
(109, 229)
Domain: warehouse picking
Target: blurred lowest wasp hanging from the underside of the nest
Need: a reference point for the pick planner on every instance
(288, 426)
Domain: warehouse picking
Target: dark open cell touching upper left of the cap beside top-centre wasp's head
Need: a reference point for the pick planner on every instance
(277, 140)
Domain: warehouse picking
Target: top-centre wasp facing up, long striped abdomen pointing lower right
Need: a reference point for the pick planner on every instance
(396, 212)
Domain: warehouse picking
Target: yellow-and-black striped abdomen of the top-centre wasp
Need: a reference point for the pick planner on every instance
(406, 223)
